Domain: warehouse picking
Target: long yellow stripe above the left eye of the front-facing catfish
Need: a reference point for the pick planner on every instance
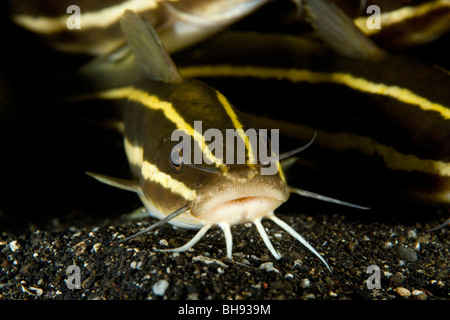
(154, 103)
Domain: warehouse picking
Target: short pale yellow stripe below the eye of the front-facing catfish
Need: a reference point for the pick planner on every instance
(151, 172)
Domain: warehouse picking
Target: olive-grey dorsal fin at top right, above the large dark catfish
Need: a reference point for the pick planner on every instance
(338, 31)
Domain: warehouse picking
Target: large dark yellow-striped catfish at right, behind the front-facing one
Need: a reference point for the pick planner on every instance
(372, 111)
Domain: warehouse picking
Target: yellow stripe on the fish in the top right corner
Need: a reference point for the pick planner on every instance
(397, 16)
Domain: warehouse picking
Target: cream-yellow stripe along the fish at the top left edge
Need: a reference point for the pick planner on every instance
(92, 19)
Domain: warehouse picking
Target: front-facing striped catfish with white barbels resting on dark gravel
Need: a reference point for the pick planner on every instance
(214, 192)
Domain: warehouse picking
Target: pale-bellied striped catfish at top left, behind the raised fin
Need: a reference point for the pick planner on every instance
(92, 27)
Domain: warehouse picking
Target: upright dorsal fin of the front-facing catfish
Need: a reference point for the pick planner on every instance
(149, 51)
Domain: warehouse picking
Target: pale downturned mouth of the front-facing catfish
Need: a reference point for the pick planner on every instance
(236, 207)
